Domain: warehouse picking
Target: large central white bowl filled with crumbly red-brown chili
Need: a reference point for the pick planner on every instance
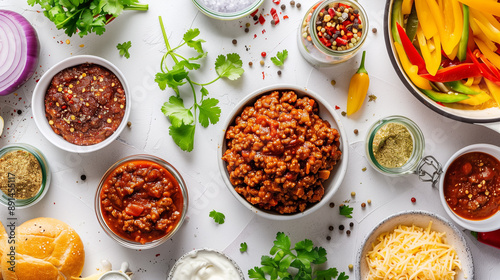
(283, 153)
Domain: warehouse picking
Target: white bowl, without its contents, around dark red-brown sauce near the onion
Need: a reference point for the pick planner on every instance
(38, 107)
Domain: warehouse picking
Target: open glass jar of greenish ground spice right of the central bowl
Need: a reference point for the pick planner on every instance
(395, 146)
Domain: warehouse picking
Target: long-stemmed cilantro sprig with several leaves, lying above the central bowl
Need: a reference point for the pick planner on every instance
(204, 110)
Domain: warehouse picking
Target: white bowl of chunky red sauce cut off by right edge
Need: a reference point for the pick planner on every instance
(469, 187)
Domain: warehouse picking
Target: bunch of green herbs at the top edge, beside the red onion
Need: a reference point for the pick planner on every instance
(85, 16)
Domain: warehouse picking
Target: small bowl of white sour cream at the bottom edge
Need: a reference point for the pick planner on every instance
(205, 264)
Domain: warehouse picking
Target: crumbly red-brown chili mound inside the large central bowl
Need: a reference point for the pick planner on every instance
(279, 152)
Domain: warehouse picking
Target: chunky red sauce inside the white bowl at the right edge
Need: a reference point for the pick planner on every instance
(472, 186)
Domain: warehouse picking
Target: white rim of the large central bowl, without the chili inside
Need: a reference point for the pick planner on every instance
(326, 112)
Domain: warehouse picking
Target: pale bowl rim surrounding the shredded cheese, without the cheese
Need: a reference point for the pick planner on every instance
(454, 237)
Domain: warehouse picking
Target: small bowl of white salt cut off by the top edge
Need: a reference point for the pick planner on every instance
(227, 9)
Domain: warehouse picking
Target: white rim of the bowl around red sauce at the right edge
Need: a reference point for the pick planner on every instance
(490, 224)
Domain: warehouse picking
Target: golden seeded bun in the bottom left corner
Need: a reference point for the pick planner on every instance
(46, 249)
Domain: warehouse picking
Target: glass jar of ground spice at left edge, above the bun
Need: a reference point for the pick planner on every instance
(24, 176)
